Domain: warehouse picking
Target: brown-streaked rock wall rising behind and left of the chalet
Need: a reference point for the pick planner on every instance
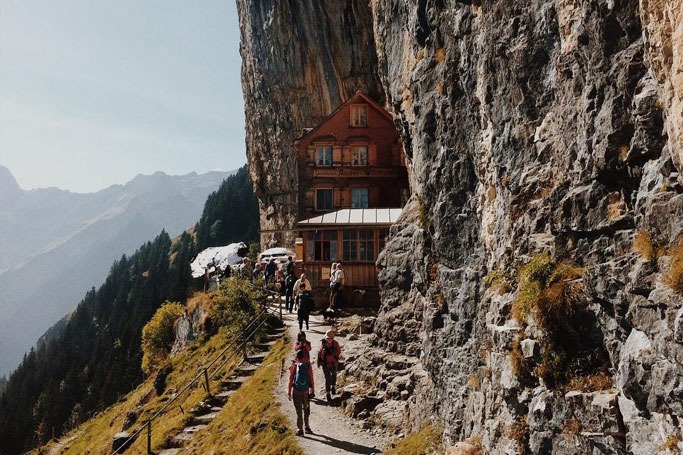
(301, 59)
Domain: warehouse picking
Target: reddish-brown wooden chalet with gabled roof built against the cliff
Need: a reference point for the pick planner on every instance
(352, 183)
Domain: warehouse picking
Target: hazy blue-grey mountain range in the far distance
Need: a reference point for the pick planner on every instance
(55, 245)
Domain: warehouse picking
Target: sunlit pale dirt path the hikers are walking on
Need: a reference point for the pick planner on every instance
(334, 432)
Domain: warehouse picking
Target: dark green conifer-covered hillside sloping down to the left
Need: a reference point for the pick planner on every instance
(95, 357)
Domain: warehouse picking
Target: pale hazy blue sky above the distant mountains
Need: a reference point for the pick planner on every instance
(94, 92)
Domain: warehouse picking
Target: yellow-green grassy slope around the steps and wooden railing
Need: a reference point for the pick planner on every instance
(246, 409)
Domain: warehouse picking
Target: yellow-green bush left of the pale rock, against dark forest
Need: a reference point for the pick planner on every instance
(158, 335)
